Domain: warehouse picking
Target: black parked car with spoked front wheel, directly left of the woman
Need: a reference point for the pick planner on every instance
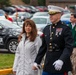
(9, 35)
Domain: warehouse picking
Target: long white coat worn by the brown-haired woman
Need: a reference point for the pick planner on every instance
(25, 55)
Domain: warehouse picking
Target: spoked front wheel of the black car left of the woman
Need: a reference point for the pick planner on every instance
(12, 45)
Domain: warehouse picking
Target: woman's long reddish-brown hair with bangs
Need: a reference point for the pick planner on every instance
(33, 33)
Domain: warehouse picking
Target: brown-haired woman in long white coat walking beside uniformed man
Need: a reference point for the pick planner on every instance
(27, 50)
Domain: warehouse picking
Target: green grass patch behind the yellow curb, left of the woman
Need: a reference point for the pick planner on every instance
(6, 61)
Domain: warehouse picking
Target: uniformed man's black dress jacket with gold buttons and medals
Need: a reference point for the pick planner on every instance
(57, 43)
